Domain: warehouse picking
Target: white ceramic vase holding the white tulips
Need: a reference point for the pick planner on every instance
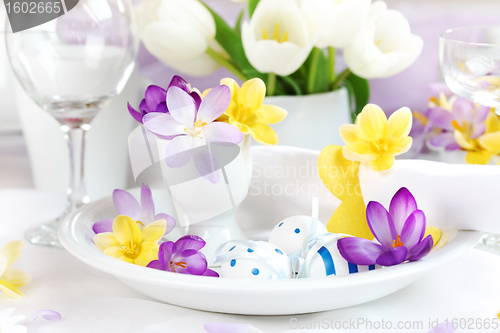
(313, 120)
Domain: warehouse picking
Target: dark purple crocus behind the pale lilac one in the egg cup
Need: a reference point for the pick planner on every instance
(156, 99)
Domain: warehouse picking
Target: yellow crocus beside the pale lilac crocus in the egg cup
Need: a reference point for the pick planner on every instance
(247, 112)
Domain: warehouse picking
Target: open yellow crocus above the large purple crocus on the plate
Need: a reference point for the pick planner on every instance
(376, 140)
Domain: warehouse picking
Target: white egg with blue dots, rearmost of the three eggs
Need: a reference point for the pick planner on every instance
(292, 233)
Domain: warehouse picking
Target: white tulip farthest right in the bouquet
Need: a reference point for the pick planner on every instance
(385, 46)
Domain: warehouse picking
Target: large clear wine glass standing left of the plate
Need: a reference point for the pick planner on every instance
(72, 67)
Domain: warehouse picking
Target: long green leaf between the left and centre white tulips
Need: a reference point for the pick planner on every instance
(232, 44)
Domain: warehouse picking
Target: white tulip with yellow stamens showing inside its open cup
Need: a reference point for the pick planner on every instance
(276, 38)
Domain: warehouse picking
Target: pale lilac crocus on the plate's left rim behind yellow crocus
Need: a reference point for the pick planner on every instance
(143, 213)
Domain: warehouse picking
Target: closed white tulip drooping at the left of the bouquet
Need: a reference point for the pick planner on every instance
(179, 32)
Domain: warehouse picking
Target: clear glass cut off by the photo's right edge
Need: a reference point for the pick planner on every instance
(470, 63)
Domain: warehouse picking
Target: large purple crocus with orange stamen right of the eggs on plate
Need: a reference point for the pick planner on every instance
(399, 232)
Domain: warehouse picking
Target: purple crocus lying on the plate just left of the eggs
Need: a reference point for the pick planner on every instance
(183, 257)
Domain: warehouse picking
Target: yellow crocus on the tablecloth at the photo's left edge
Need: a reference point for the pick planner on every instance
(12, 278)
